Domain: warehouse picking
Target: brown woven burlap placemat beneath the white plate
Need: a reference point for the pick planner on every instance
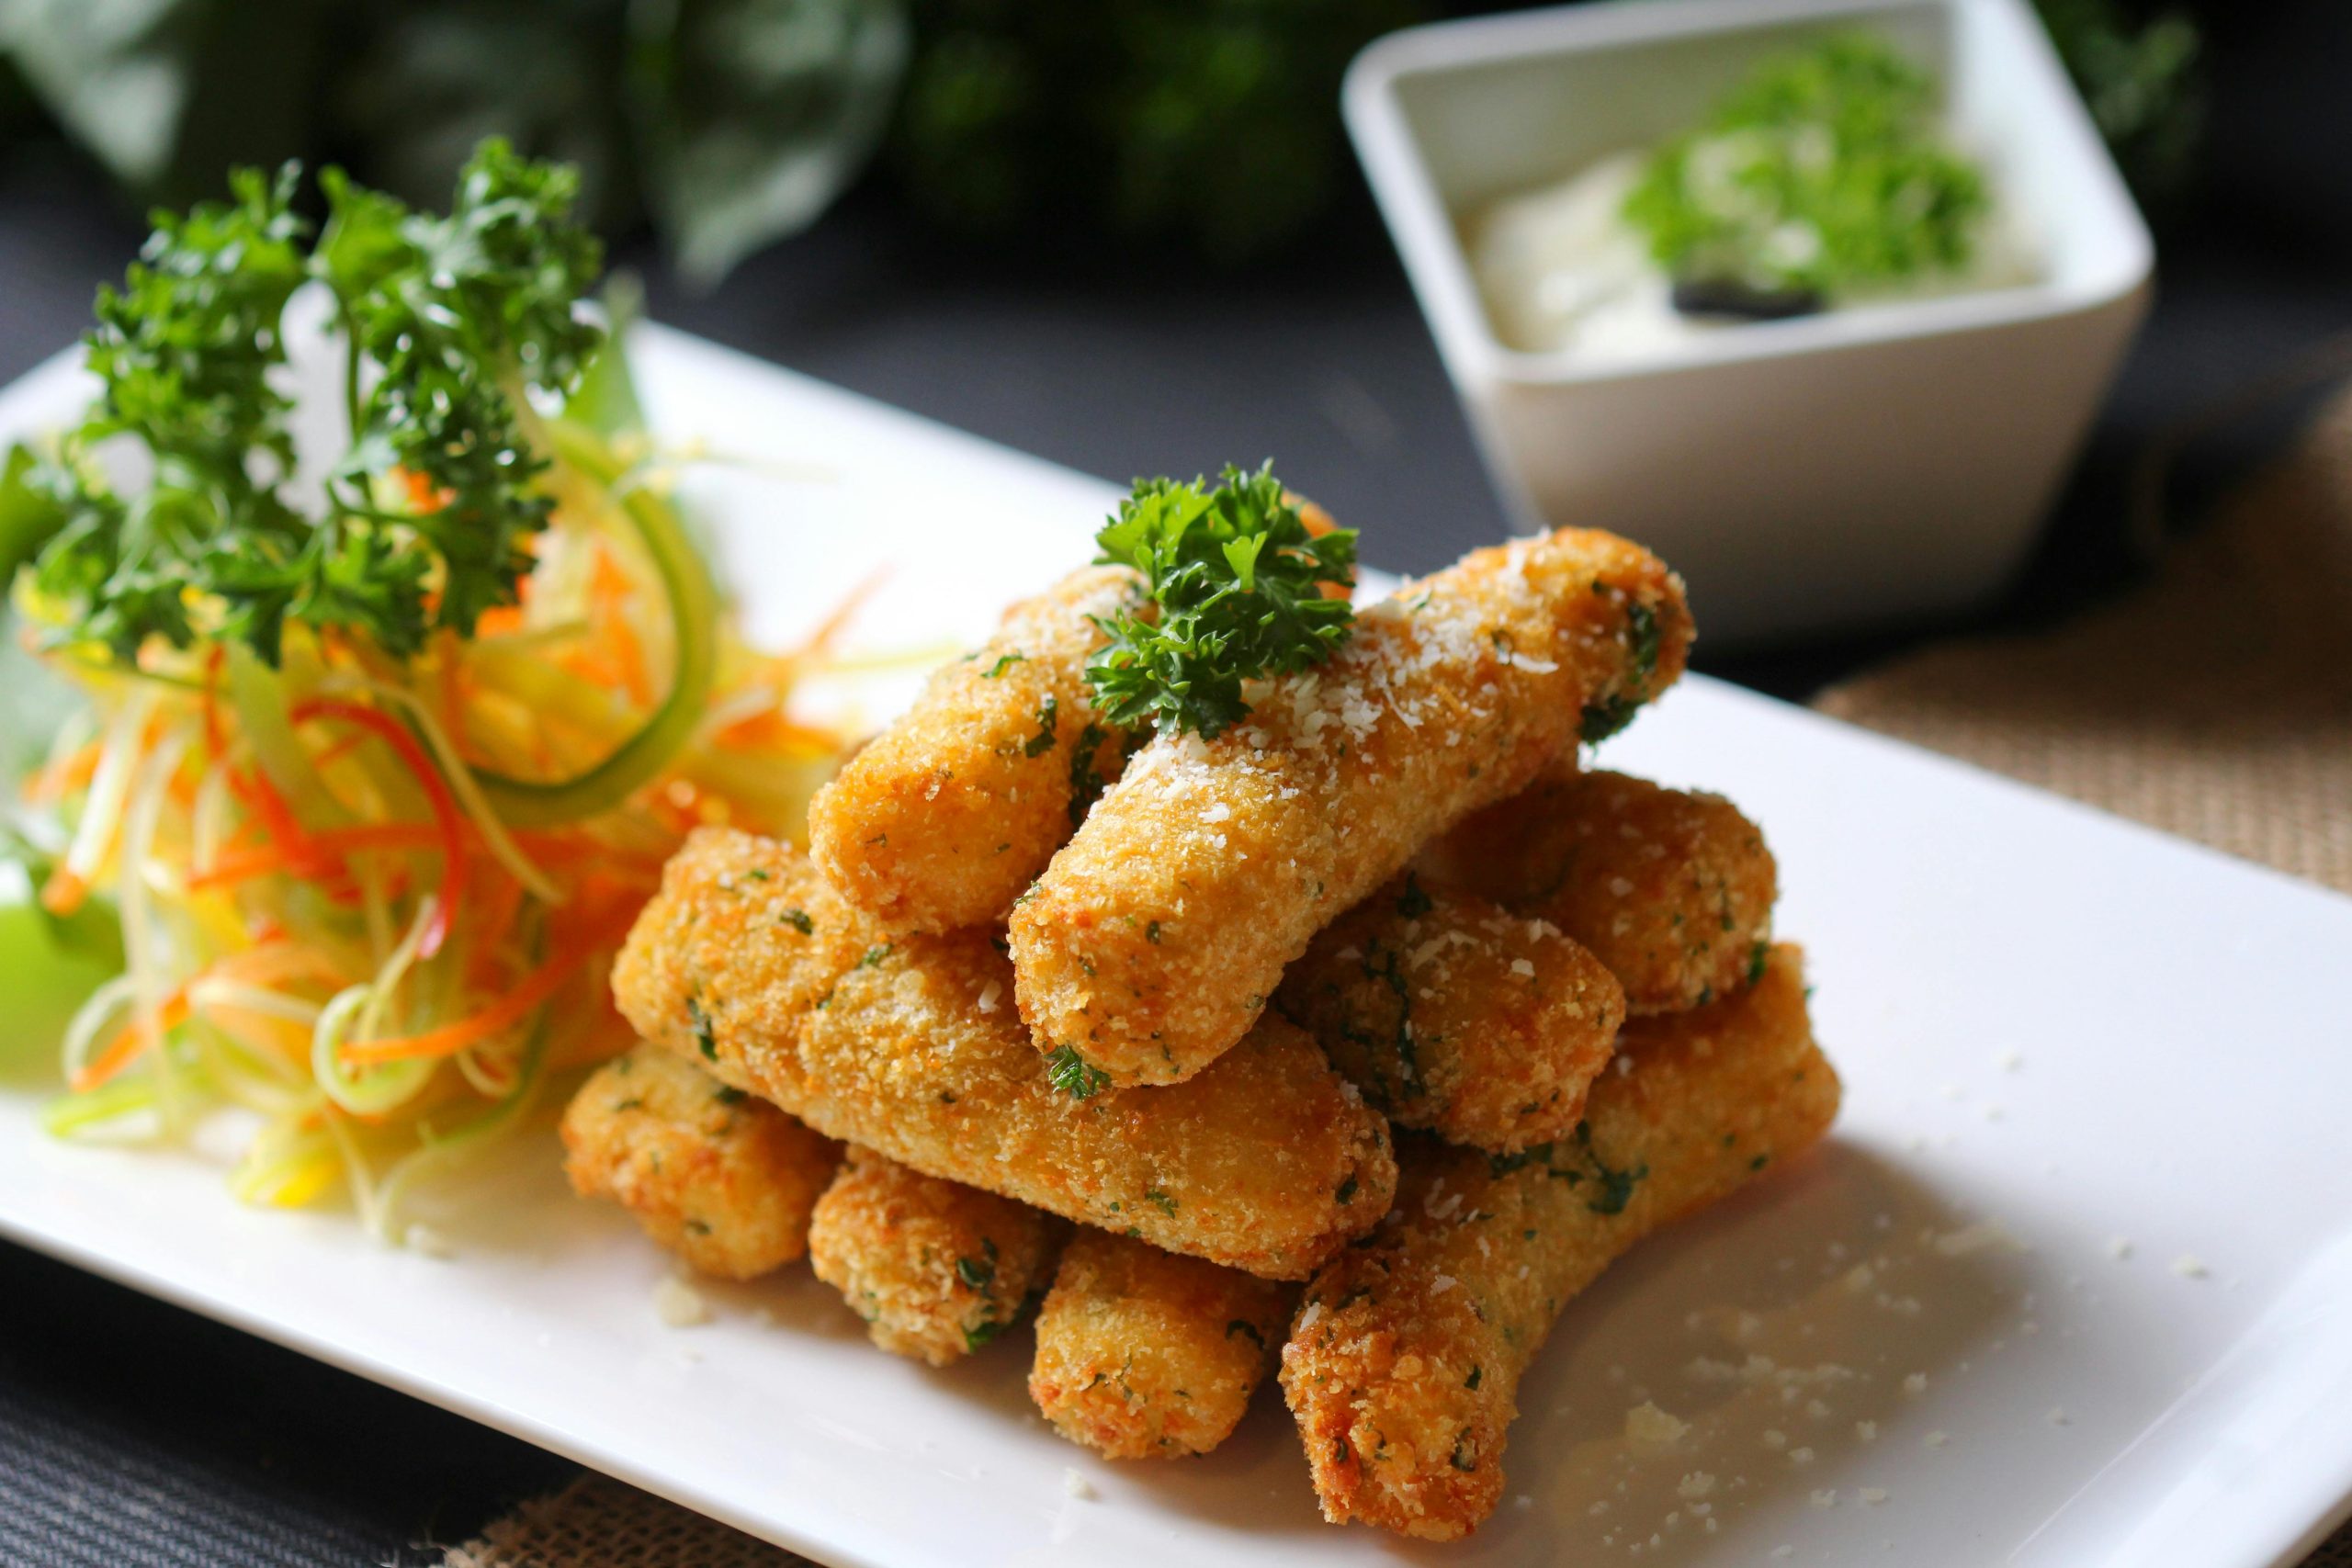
(2214, 704)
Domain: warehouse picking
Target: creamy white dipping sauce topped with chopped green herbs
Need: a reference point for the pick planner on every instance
(1824, 182)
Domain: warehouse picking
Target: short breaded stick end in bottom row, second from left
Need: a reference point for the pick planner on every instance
(935, 1268)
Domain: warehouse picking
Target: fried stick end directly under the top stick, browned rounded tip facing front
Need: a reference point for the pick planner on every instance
(1457, 1017)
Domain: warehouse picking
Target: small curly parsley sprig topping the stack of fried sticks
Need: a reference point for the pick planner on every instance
(1238, 589)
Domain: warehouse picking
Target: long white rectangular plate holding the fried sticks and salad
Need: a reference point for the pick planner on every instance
(2071, 1285)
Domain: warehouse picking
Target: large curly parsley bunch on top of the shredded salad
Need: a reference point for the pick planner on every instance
(425, 521)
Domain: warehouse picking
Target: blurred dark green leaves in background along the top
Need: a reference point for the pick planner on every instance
(1203, 130)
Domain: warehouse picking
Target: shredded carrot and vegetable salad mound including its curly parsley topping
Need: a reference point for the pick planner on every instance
(373, 786)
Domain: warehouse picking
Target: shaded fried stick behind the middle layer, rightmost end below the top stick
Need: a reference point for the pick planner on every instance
(1671, 890)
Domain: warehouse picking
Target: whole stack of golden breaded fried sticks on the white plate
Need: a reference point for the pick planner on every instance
(1354, 1040)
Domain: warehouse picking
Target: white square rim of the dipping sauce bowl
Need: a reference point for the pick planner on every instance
(1434, 257)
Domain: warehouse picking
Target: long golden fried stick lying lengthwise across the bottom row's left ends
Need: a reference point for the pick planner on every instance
(754, 967)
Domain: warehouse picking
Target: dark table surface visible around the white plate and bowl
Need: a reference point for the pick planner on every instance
(133, 1433)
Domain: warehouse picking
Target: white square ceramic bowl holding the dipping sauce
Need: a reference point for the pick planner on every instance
(1866, 464)
